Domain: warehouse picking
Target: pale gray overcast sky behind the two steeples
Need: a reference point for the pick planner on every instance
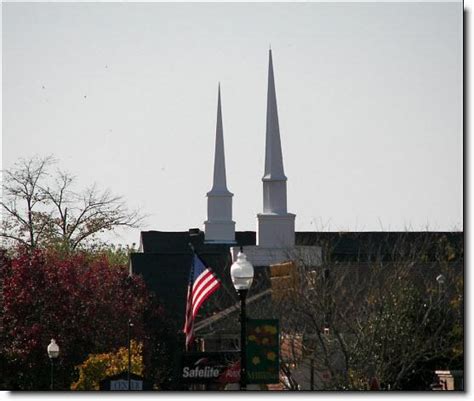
(369, 98)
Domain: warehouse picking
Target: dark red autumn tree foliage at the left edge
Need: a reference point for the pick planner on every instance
(80, 300)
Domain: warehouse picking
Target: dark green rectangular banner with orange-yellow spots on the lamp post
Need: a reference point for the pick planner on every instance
(263, 346)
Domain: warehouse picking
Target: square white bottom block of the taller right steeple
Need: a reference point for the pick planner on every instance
(276, 230)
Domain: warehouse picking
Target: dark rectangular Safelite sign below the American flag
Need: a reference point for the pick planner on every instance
(210, 367)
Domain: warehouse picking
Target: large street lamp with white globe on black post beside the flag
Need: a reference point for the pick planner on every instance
(241, 273)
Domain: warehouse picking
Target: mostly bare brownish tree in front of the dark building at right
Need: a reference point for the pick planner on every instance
(388, 315)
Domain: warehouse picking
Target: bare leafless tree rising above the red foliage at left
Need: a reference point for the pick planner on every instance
(41, 207)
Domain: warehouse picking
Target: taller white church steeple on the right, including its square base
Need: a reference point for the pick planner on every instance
(276, 227)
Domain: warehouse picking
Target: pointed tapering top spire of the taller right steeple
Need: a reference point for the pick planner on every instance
(273, 154)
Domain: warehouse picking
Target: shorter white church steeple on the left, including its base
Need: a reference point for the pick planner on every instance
(219, 227)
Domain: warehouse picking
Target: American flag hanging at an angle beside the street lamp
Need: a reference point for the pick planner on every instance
(202, 284)
